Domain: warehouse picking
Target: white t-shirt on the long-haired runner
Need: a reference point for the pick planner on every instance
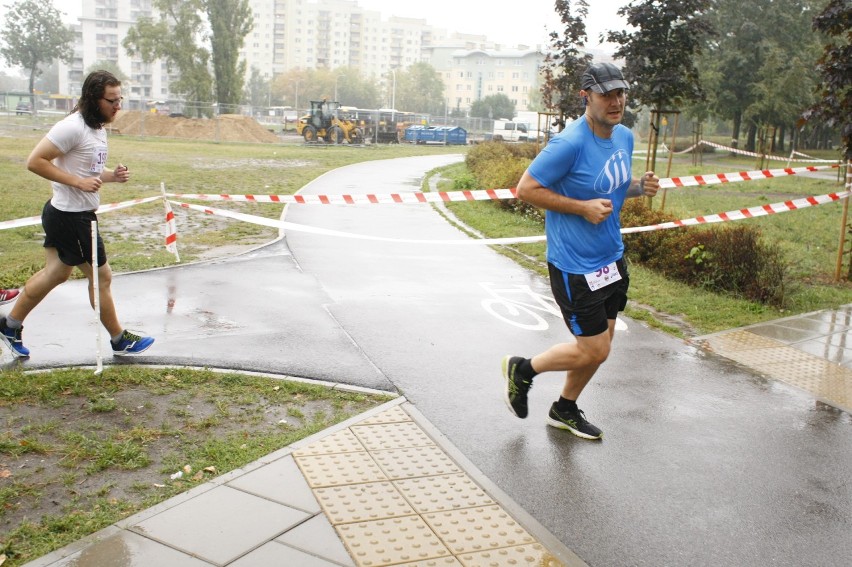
(84, 154)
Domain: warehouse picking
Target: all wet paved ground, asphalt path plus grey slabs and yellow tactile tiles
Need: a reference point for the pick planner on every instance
(705, 460)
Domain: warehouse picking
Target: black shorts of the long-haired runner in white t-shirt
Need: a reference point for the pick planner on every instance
(71, 235)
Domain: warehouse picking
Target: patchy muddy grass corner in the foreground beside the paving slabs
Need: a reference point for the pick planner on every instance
(79, 452)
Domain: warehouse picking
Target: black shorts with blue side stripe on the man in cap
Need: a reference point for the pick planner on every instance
(587, 312)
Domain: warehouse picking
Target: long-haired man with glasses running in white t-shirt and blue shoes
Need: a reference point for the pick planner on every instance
(73, 156)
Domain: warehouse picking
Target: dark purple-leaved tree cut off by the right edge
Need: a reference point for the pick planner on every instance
(835, 68)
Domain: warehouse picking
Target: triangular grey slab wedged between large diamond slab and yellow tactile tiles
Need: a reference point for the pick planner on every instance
(280, 481)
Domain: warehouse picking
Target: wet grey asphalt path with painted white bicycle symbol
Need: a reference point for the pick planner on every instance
(703, 463)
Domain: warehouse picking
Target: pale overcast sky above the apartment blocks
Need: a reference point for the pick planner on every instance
(526, 22)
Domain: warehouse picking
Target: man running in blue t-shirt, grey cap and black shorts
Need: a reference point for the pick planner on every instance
(581, 179)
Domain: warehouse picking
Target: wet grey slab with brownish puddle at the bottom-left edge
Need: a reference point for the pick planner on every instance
(127, 549)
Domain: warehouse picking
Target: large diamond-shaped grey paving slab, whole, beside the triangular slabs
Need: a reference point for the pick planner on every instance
(214, 525)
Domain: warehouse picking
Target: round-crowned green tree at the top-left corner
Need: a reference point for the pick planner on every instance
(33, 34)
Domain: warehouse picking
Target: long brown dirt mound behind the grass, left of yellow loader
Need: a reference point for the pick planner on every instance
(224, 128)
